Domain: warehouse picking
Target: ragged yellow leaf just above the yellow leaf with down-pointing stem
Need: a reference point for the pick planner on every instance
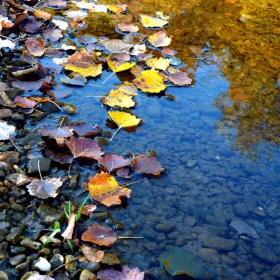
(119, 99)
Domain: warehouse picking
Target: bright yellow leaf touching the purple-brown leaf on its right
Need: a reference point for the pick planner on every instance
(150, 81)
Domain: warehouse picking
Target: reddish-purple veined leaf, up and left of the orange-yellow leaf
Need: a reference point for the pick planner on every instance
(84, 147)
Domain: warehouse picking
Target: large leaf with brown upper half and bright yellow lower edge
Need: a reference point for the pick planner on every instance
(83, 63)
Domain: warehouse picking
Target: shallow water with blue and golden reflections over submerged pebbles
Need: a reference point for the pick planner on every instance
(219, 140)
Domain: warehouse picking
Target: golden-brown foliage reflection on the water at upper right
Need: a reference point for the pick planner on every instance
(244, 36)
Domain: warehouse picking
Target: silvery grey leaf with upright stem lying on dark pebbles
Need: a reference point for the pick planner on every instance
(44, 189)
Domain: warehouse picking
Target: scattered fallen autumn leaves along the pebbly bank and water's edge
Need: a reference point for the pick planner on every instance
(40, 34)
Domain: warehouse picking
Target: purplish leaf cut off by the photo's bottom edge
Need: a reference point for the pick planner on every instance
(125, 274)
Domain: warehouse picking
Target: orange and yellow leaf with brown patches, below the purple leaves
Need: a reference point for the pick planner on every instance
(105, 189)
